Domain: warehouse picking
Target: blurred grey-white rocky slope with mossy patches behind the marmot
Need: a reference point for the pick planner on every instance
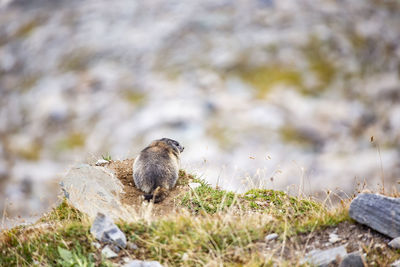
(262, 93)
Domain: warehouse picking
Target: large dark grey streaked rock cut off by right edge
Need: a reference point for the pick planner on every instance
(379, 212)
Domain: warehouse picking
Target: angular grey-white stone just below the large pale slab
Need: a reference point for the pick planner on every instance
(105, 230)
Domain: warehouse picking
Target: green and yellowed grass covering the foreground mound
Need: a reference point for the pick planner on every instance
(214, 227)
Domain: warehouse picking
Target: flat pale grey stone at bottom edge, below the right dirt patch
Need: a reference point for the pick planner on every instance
(324, 257)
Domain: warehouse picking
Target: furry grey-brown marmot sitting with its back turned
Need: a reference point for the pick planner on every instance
(156, 169)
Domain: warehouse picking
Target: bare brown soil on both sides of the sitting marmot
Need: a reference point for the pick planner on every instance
(134, 197)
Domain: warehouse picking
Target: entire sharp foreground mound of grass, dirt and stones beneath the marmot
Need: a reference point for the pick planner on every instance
(198, 225)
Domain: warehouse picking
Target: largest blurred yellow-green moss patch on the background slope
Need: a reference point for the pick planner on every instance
(263, 79)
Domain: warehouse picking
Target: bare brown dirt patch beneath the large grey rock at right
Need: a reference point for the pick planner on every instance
(354, 236)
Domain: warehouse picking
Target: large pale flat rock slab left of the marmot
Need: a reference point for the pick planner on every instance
(94, 189)
